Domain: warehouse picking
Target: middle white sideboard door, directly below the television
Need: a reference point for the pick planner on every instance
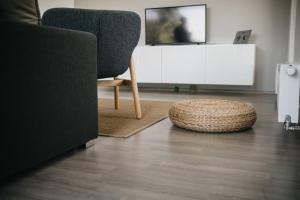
(183, 64)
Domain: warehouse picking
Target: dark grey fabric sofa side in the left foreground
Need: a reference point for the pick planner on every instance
(49, 101)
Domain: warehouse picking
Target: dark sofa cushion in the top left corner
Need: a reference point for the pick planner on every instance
(20, 10)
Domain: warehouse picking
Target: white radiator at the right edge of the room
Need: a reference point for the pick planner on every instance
(288, 90)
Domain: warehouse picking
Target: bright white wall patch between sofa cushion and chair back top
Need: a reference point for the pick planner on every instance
(46, 4)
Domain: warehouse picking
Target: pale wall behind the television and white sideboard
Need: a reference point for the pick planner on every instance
(269, 20)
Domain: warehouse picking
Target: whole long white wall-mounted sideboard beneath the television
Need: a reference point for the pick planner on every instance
(226, 64)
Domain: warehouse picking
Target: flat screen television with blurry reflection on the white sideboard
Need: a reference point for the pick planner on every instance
(176, 25)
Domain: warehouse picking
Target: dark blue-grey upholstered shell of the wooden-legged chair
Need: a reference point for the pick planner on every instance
(117, 32)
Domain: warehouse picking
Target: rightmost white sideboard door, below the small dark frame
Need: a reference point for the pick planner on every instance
(230, 64)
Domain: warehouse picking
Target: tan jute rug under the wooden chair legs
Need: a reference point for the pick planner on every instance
(122, 123)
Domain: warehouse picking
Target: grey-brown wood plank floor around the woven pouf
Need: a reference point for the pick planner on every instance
(165, 162)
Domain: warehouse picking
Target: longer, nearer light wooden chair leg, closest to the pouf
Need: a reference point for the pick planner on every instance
(135, 92)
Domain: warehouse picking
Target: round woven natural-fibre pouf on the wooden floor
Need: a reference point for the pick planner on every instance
(213, 116)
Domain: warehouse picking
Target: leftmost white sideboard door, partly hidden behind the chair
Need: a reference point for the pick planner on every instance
(147, 62)
